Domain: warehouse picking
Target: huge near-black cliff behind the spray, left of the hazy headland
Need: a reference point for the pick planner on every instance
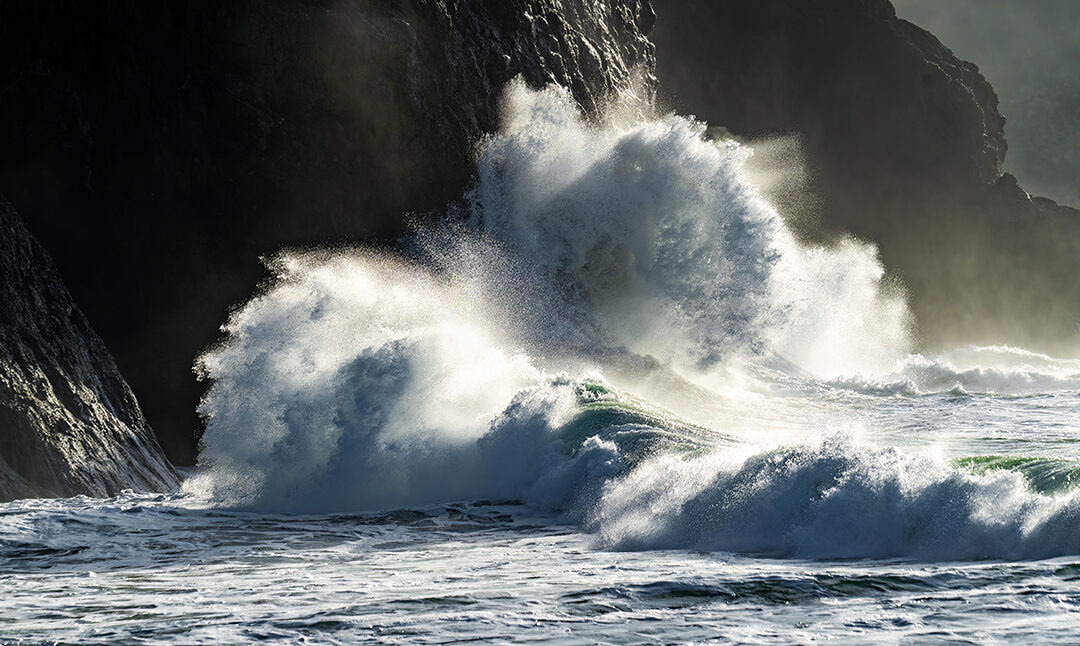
(159, 149)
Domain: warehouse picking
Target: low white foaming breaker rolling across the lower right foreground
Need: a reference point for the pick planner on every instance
(835, 500)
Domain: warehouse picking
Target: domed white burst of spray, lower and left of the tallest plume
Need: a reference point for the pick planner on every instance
(357, 384)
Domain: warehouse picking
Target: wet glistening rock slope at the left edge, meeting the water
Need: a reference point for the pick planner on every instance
(69, 423)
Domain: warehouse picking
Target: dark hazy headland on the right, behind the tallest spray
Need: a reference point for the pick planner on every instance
(904, 145)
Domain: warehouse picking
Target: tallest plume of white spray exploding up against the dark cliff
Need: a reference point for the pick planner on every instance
(649, 238)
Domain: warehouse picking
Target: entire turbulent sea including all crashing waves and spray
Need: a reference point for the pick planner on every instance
(610, 398)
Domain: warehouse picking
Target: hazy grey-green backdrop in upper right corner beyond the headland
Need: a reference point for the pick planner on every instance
(1030, 50)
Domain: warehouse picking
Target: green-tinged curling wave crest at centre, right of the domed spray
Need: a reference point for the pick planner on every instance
(639, 428)
